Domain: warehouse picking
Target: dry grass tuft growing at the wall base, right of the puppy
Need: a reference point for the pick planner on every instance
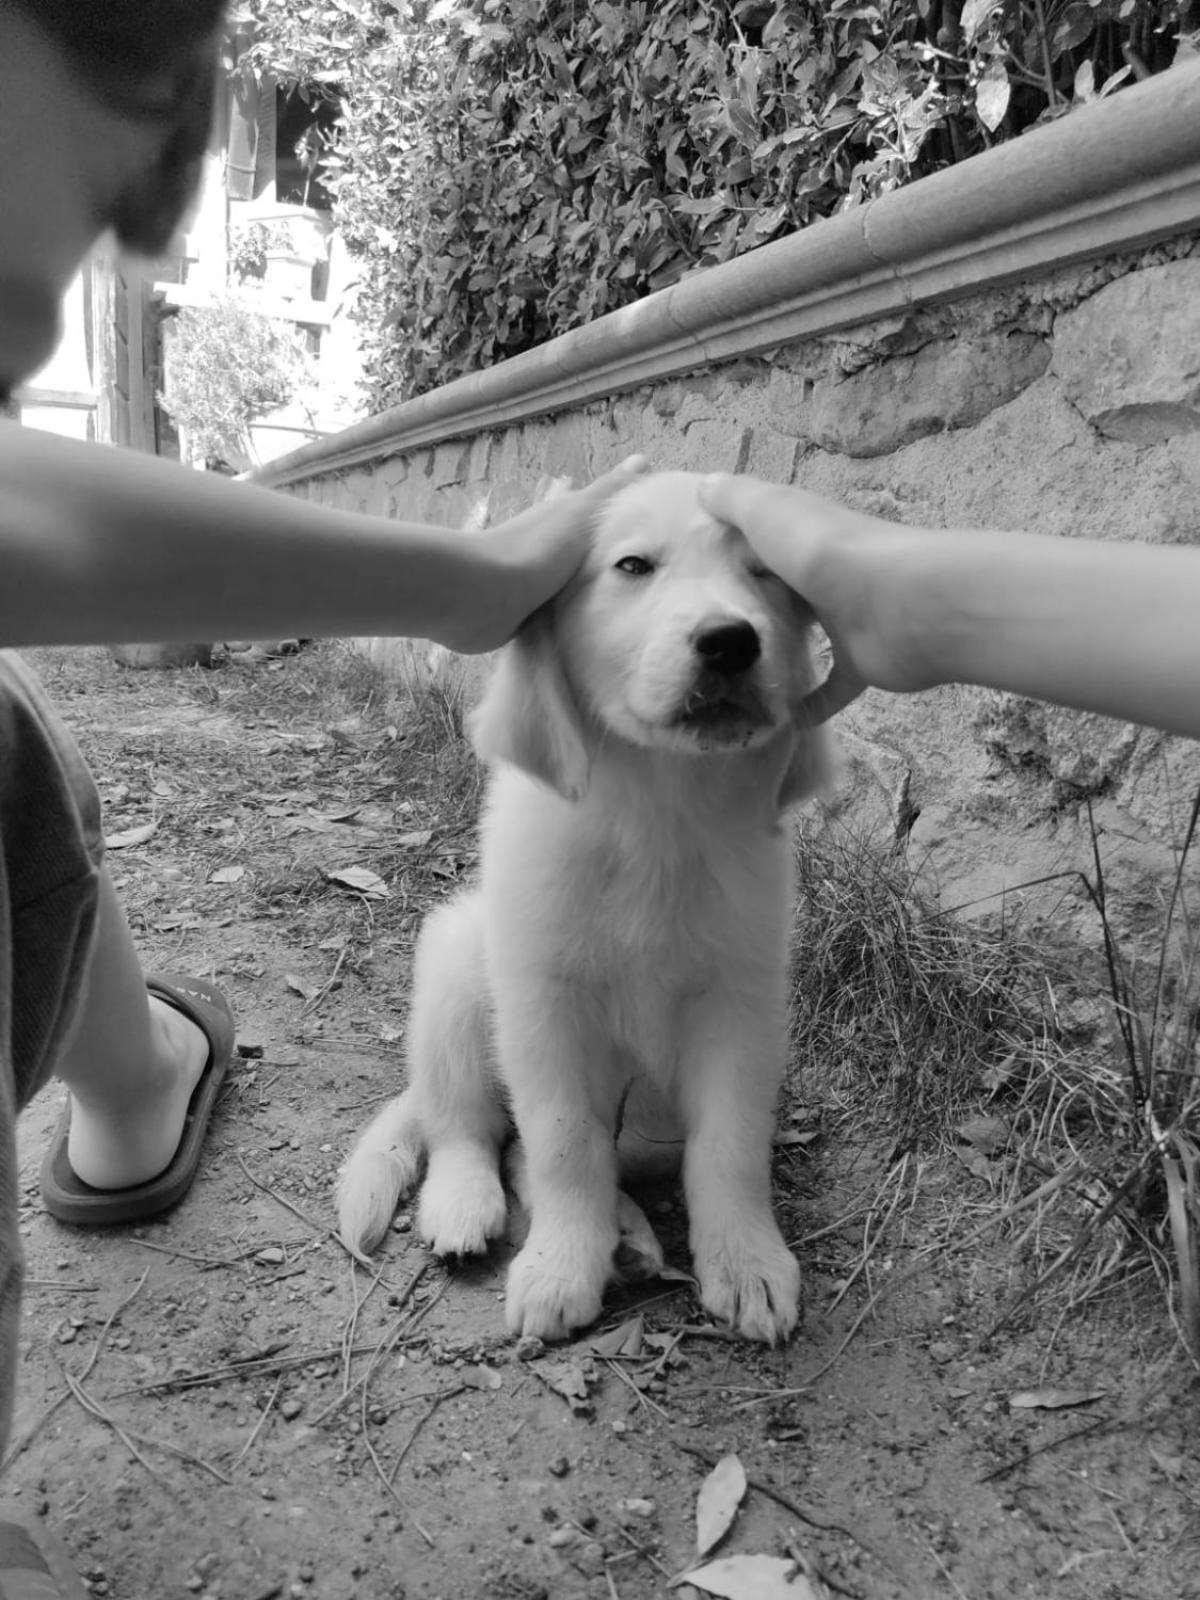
(1073, 1102)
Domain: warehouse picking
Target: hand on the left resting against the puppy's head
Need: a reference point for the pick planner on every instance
(534, 554)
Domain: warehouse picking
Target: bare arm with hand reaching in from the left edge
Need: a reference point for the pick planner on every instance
(105, 546)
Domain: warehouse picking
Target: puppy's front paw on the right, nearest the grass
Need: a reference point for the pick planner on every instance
(751, 1281)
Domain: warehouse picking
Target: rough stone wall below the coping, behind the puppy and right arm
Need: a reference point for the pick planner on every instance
(1066, 406)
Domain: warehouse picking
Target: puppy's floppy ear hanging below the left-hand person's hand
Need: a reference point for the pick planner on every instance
(529, 714)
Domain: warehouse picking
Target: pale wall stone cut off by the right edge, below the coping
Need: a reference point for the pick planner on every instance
(1129, 358)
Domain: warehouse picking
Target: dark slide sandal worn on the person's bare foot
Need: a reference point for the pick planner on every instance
(71, 1201)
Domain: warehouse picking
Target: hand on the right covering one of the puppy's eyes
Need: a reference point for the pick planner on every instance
(847, 566)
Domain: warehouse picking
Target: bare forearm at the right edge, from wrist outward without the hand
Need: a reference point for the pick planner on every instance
(1110, 628)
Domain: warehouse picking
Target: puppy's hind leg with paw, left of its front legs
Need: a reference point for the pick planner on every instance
(463, 1114)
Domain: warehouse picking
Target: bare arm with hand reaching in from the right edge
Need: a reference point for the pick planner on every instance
(1110, 628)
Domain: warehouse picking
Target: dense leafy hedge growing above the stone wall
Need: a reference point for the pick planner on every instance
(513, 169)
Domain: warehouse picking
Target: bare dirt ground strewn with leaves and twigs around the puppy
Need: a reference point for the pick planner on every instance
(223, 1404)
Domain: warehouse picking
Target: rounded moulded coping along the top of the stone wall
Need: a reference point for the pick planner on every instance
(1111, 177)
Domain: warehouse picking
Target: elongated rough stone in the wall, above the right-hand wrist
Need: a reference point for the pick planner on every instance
(946, 385)
